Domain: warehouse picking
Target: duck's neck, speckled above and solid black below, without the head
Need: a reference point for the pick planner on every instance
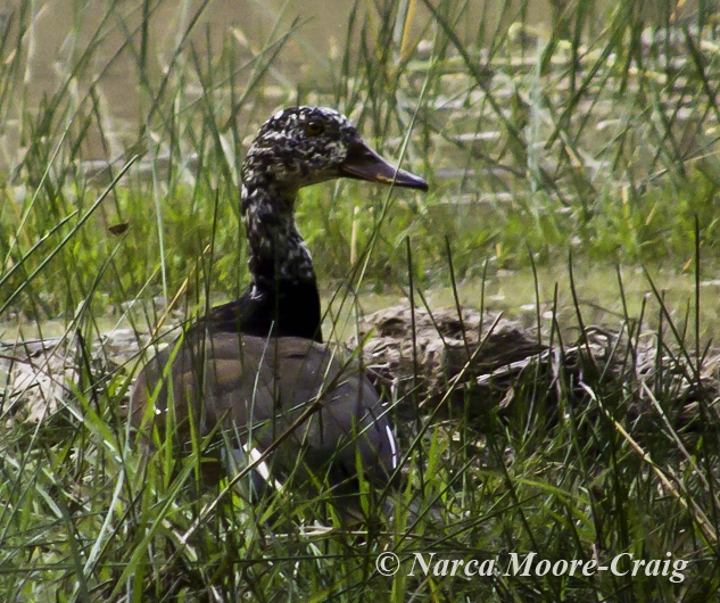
(283, 297)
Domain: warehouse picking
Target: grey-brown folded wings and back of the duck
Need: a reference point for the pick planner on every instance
(317, 412)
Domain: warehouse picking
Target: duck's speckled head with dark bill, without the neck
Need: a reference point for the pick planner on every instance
(300, 146)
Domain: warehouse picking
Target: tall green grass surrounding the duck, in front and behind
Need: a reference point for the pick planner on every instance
(592, 134)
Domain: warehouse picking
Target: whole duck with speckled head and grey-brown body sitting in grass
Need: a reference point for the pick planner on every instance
(255, 373)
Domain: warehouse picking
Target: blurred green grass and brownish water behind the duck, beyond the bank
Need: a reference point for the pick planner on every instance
(543, 128)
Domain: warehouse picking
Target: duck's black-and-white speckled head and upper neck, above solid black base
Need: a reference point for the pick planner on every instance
(297, 147)
